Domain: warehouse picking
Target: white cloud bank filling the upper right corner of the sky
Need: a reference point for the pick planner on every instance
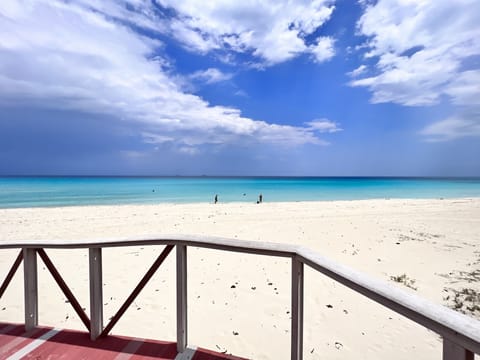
(421, 49)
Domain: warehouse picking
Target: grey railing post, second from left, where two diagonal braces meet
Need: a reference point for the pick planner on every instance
(96, 293)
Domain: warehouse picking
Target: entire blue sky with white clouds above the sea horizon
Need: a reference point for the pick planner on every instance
(266, 88)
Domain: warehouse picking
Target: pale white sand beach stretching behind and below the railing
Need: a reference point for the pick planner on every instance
(240, 303)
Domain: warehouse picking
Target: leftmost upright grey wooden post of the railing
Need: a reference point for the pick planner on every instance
(30, 288)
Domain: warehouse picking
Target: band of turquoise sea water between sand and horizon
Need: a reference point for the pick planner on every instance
(69, 191)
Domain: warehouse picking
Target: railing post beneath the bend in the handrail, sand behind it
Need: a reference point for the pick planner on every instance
(297, 309)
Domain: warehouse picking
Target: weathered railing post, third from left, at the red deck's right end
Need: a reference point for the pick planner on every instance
(181, 298)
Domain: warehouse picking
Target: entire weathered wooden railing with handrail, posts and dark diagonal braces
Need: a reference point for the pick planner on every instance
(461, 333)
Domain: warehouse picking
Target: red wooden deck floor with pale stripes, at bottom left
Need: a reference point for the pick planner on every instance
(55, 344)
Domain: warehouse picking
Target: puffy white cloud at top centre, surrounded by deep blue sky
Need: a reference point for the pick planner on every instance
(271, 30)
